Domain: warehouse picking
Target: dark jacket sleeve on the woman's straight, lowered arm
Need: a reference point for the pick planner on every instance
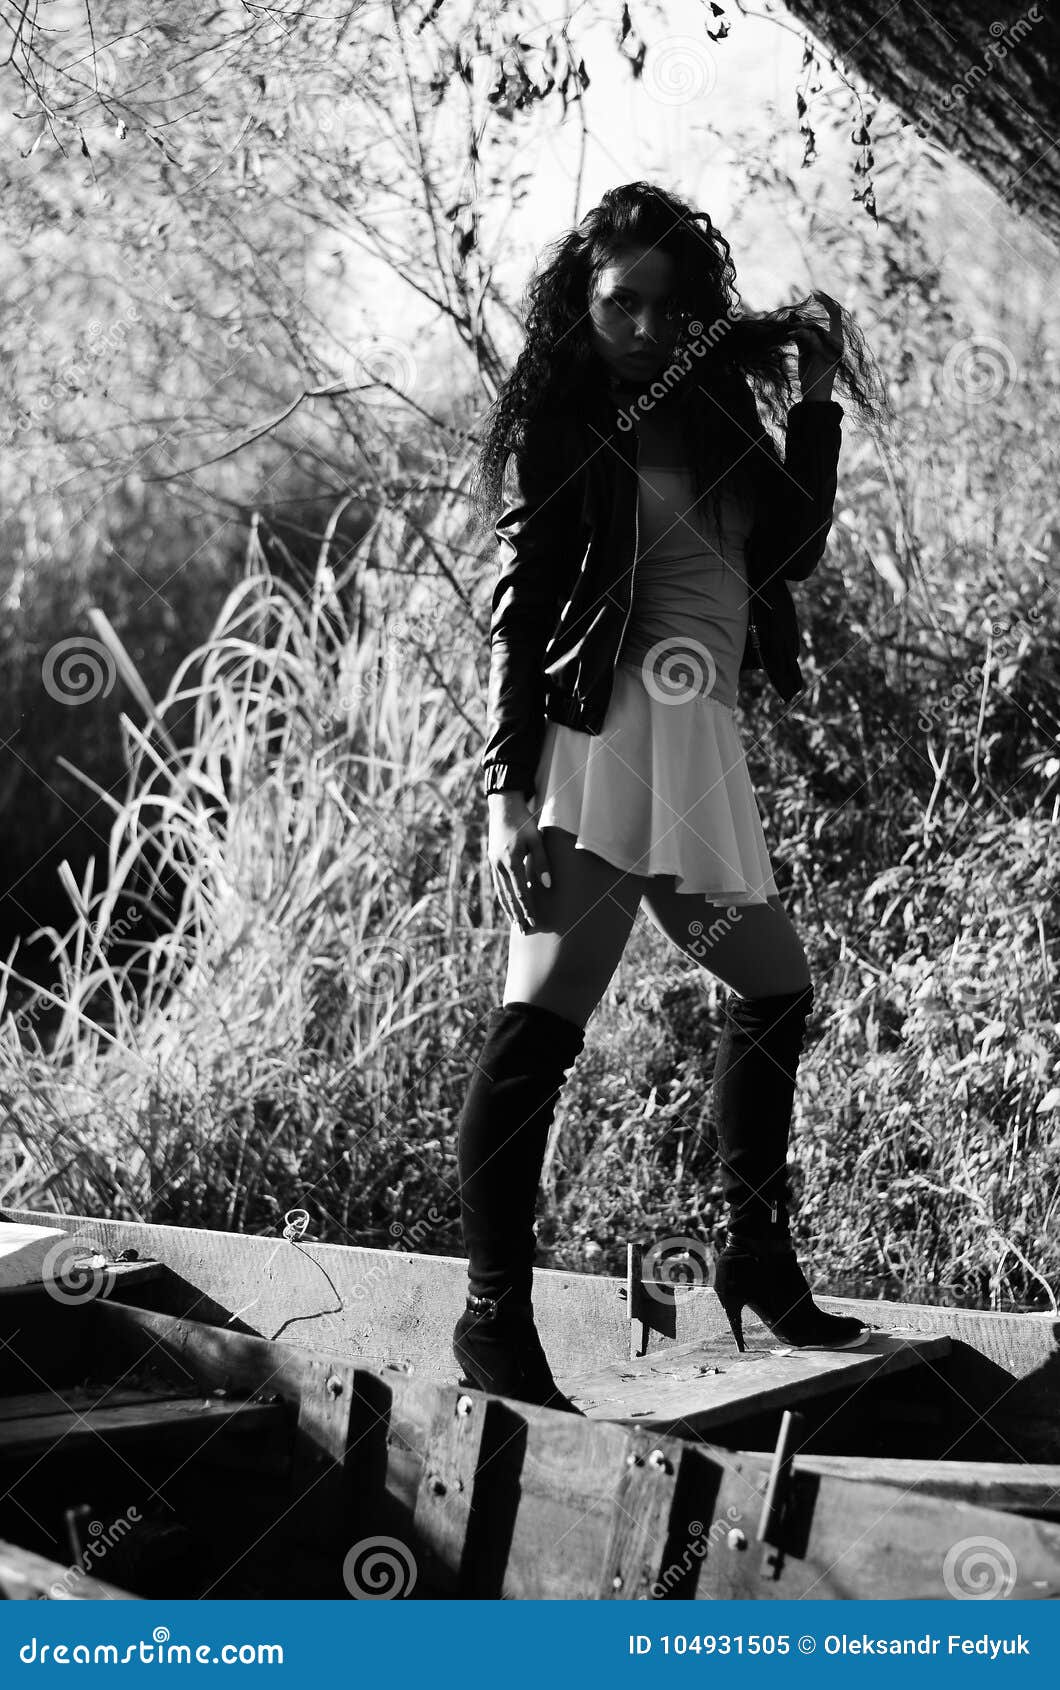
(538, 532)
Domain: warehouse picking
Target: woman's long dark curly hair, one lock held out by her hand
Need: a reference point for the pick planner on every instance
(719, 342)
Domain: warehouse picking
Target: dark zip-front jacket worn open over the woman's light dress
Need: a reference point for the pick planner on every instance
(569, 532)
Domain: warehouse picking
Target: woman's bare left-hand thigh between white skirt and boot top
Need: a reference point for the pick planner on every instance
(567, 962)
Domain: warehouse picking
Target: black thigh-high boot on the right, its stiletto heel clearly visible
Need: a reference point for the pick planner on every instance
(755, 1091)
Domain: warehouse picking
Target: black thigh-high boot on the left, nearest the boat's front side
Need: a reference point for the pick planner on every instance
(503, 1137)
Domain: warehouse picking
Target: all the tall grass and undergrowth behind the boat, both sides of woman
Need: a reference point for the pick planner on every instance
(320, 942)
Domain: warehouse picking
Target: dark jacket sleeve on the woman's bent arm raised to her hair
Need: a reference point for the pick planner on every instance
(797, 493)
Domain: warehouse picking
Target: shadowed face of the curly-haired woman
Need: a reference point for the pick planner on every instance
(631, 313)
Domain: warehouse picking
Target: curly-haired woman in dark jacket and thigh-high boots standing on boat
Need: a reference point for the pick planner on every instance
(648, 530)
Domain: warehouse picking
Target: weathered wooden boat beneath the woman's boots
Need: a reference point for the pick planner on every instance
(199, 1414)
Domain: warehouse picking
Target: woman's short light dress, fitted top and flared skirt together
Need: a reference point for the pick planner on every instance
(665, 788)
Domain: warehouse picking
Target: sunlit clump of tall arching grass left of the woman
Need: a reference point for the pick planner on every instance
(305, 864)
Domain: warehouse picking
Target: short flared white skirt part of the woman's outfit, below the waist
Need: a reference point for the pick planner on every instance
(662, 790)
